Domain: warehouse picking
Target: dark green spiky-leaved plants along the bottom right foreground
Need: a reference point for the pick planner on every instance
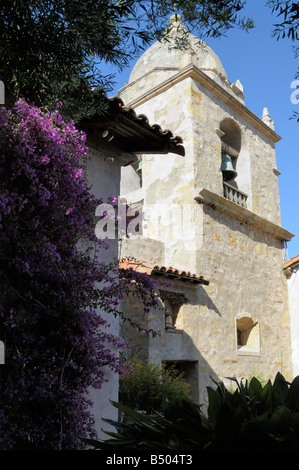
(252, 417)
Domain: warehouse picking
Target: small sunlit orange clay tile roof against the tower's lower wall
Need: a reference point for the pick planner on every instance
(158, 270)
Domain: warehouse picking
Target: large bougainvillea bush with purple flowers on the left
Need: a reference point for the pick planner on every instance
(56, 344)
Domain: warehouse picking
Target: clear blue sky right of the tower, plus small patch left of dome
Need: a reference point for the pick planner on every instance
(266, 68)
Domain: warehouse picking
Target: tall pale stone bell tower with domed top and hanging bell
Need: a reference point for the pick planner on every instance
(215, 211)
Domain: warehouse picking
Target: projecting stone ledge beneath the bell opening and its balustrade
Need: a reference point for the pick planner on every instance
(208, 197)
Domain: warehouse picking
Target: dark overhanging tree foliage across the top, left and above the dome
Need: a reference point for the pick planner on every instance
(55, 50)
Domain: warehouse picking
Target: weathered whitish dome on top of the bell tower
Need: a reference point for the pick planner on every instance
(167, 55)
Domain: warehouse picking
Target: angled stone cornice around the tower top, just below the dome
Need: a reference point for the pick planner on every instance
(195, 73)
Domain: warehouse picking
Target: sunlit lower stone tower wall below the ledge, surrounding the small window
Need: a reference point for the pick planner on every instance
(244, 266)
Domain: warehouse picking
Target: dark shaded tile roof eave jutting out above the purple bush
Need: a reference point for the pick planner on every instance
(132, 132)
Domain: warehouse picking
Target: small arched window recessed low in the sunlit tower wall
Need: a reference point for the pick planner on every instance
(248, 335)
